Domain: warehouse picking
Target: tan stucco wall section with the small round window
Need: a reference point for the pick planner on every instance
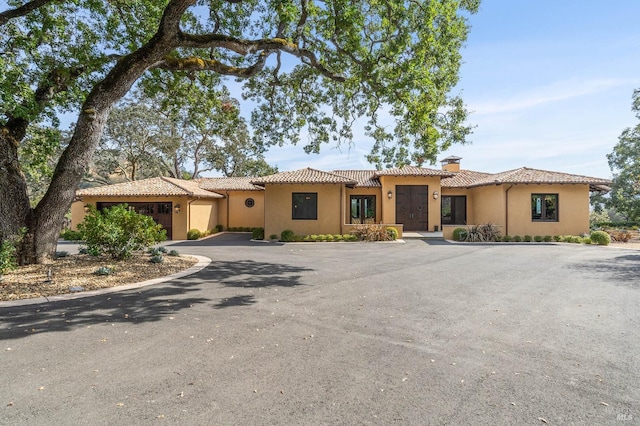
(233, 212)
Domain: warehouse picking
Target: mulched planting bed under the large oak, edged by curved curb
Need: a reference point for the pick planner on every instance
(82, 272)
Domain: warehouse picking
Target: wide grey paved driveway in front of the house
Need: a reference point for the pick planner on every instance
(415, 333)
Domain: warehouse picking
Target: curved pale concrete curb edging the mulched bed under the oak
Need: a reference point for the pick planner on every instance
(202, 263)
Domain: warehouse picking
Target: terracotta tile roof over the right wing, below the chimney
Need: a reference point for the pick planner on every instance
(523, 175)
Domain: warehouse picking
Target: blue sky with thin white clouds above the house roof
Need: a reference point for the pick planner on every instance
(548, 84)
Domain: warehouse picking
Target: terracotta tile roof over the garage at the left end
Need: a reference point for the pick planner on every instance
(159, 186)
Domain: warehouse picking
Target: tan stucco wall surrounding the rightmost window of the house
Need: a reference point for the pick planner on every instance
(573, 210)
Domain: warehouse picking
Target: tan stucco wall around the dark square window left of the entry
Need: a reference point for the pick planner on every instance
(278, 209)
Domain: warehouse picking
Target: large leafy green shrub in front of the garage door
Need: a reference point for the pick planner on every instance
(118, 231)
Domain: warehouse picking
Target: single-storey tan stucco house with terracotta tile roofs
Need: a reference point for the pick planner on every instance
(523, 201)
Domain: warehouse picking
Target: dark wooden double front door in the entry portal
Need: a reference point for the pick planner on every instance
(412, 207)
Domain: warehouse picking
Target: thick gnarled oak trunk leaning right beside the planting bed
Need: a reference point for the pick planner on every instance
(45, 221)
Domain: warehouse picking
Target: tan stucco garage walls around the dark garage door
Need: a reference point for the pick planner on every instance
(181, 222)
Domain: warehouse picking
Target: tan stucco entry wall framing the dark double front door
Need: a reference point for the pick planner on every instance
(389, 205)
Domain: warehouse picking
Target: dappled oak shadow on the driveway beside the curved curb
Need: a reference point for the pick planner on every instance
(149, 304)
